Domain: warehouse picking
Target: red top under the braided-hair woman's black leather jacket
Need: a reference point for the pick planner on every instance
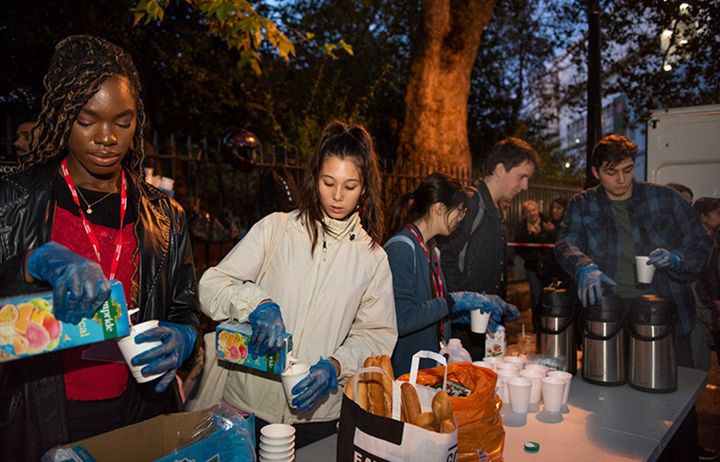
(93, 380)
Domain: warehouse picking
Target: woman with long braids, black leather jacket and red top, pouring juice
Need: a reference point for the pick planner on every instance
(76, 214)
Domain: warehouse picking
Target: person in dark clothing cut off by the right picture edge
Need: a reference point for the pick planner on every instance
(708, 289)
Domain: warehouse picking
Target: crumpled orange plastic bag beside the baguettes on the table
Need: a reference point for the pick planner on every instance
(478, 416)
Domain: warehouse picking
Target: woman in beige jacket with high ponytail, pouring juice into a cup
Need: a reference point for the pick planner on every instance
(327, 282)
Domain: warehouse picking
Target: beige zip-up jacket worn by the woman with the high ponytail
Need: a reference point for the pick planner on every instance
(338, 303)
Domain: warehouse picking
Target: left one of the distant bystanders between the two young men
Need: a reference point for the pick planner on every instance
(530, 231)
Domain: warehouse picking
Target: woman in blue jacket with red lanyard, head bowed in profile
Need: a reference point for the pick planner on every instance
(424, 308)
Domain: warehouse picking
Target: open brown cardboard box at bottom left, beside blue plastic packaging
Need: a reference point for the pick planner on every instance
(145, 441)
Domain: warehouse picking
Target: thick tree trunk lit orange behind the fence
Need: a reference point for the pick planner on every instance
(434, 130)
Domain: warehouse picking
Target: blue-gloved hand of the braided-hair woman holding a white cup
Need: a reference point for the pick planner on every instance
(177, 340)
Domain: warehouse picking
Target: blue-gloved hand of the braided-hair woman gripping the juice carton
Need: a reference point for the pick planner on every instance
(79, 285)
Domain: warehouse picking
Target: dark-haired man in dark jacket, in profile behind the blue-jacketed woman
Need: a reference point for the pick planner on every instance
(475, 255)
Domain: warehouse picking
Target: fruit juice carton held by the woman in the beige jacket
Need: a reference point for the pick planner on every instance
(232, 342)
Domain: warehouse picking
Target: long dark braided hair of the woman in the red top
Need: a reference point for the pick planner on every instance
(79, 66)
